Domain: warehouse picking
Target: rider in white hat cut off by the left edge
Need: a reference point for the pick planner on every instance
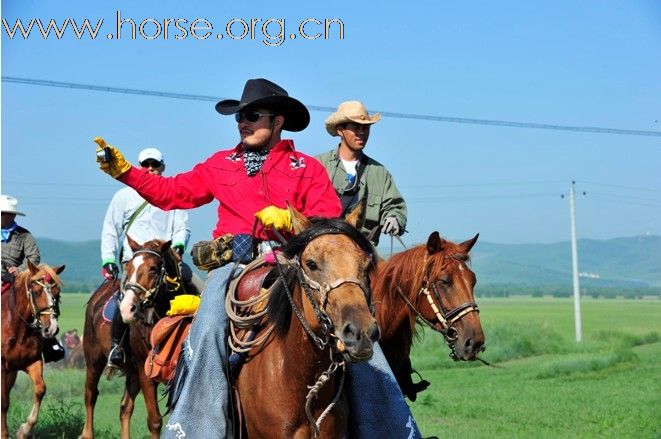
(19, 247)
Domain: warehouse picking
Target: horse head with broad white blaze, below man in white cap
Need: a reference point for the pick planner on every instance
(152, 270)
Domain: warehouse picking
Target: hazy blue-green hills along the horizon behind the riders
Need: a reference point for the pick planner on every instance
(620, 262)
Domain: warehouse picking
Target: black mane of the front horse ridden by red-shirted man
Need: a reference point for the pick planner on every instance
(279, 308)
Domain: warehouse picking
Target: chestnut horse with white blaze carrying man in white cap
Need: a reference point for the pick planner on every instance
(151, 280)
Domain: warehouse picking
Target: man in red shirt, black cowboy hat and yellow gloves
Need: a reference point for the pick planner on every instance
(256, 178)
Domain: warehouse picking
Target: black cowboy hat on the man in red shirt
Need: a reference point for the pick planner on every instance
(265, 94)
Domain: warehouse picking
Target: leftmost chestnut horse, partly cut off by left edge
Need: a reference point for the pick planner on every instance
(29, 315)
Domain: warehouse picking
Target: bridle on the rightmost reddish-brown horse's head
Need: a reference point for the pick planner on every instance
(443, 318)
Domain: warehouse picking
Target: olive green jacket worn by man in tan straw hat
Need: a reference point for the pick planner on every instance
(376, 185)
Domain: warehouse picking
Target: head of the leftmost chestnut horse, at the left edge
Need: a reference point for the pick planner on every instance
(43, 287)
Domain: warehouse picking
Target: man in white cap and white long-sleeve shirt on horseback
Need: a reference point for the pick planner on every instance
(129, 214)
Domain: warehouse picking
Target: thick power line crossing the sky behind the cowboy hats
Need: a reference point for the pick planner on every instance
(432, 118)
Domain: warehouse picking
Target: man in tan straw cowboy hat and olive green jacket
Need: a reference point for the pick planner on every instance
(357, 177)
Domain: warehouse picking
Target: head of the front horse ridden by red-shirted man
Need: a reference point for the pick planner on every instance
(331, 262)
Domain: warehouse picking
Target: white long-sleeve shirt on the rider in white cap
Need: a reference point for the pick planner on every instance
(151, 223)
